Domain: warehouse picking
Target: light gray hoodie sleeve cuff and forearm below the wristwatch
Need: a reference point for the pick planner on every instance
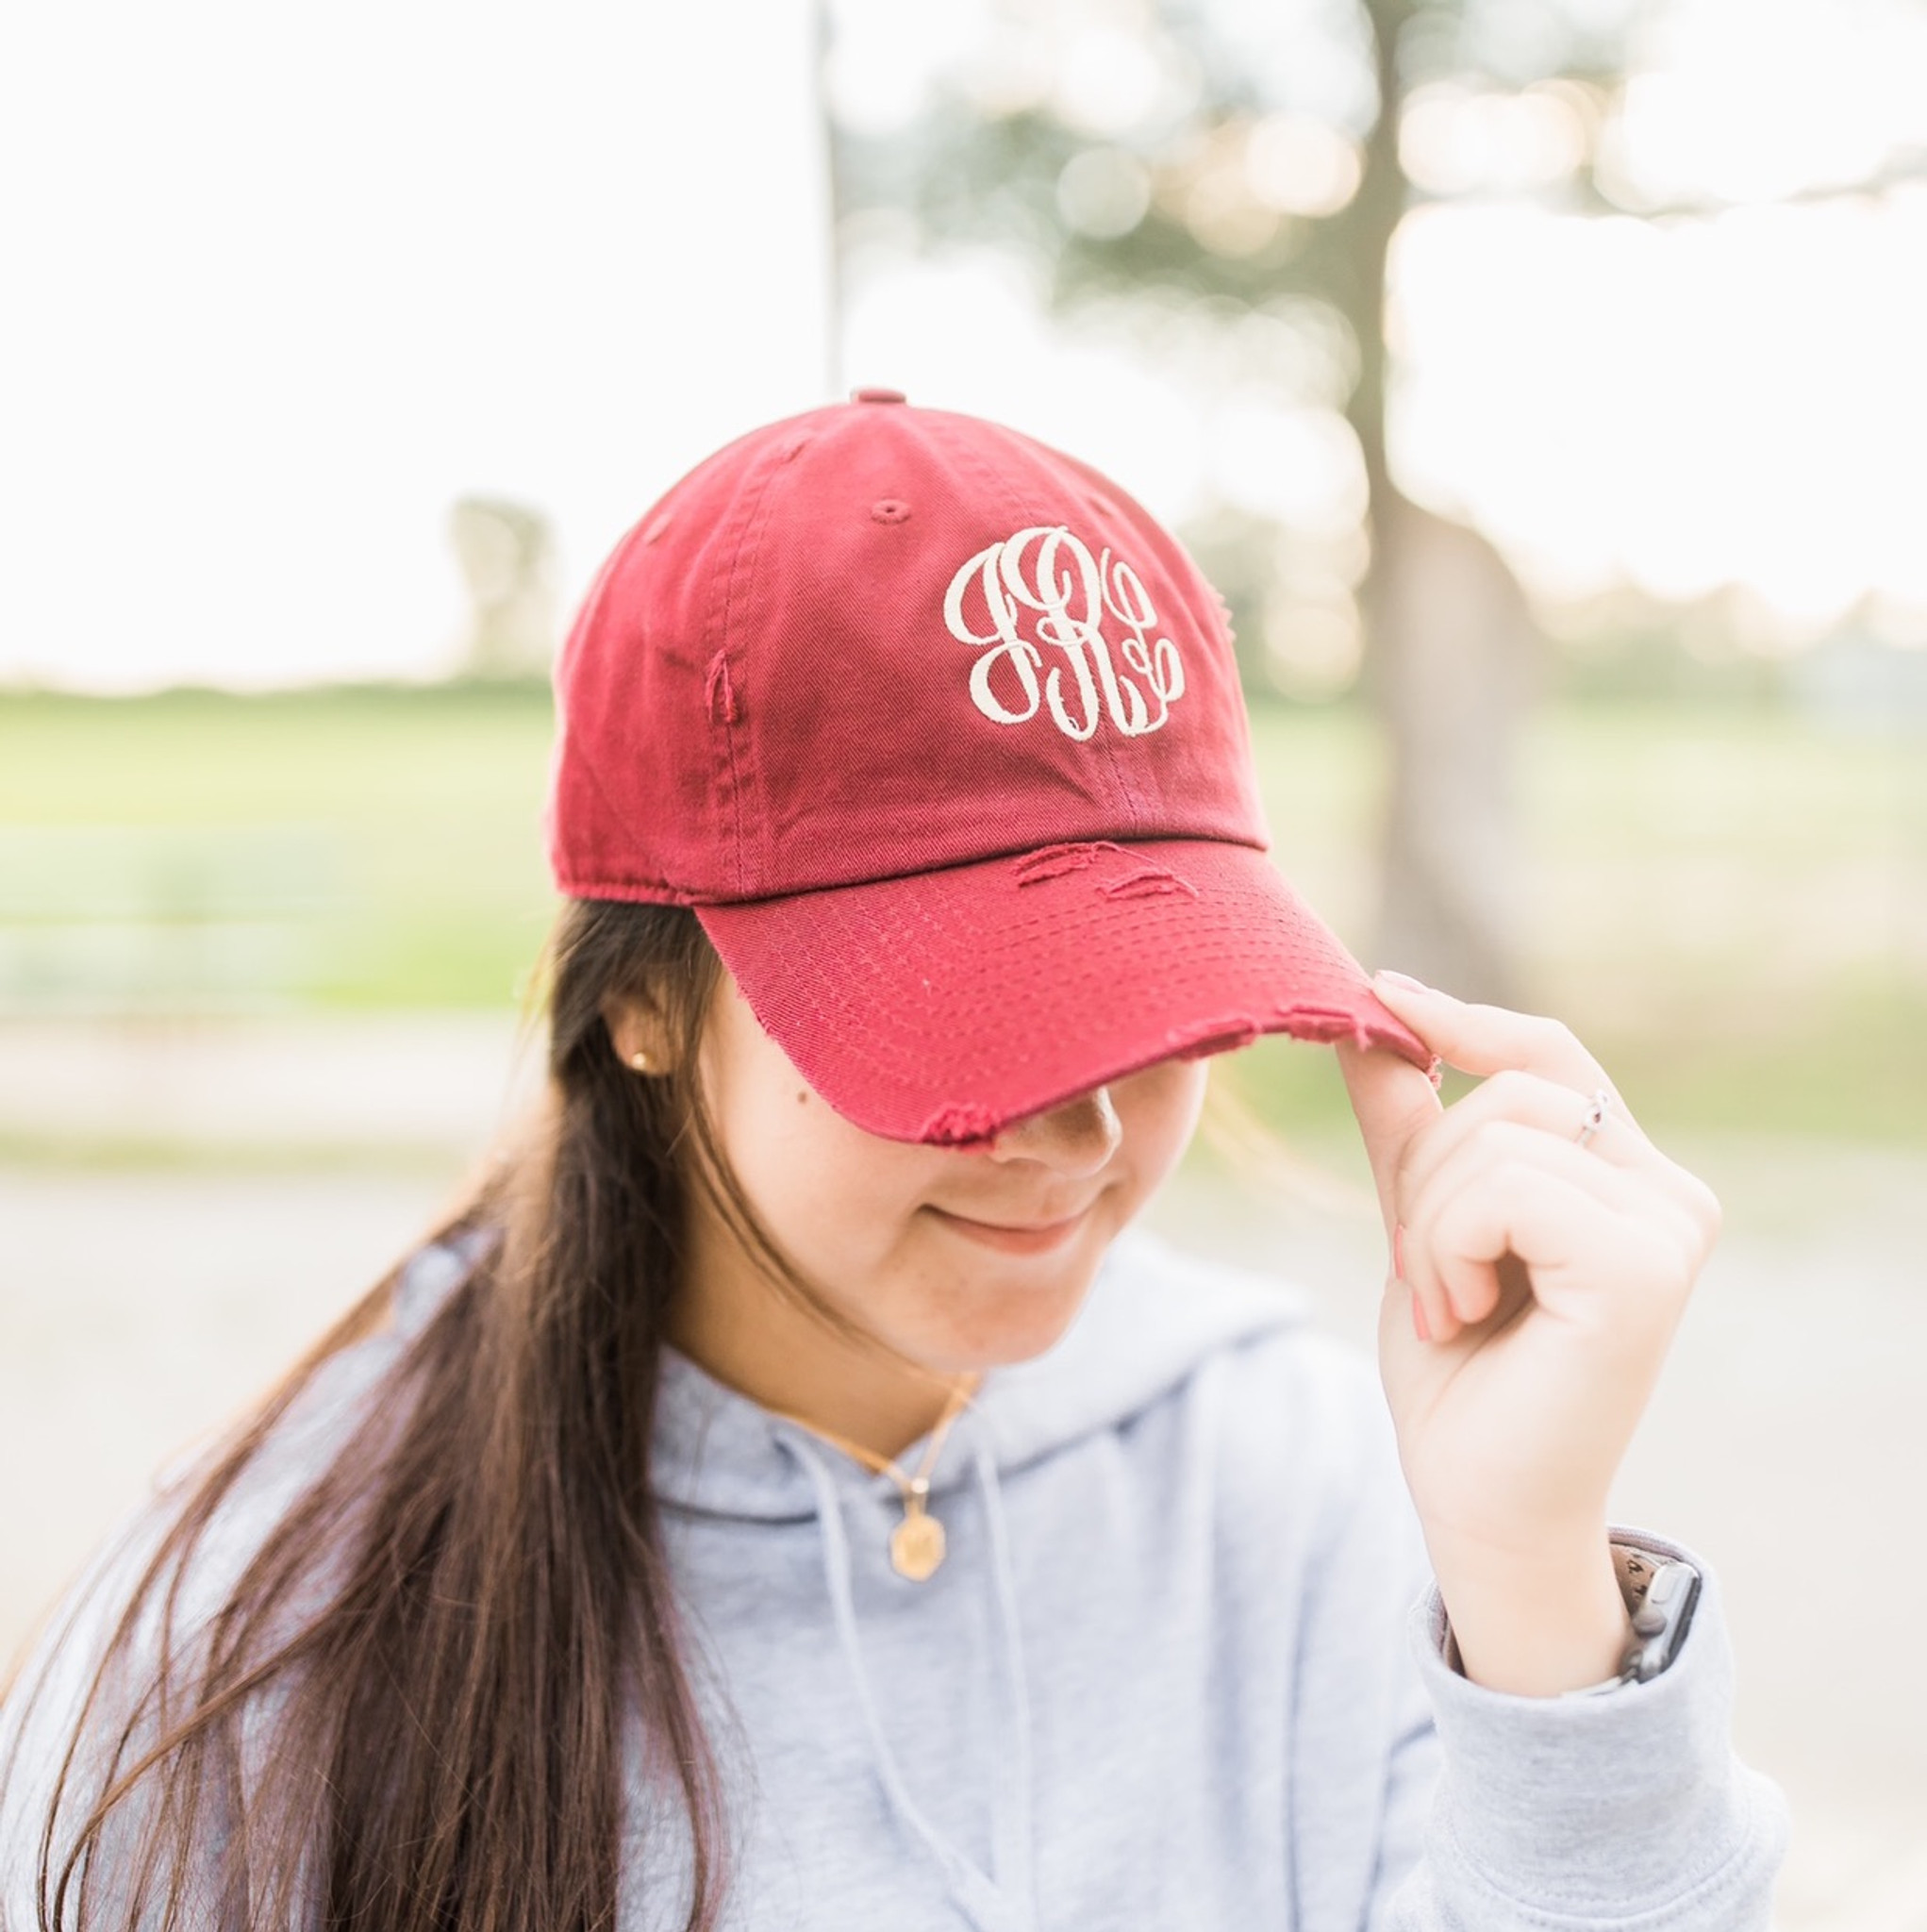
(1611, 1811)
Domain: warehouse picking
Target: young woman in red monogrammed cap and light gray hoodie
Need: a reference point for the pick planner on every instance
(787, 1494)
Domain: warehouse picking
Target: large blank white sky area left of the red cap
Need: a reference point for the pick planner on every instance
(287, 283)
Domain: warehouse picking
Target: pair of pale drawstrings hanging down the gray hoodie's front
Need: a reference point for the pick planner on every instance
(995, 1908)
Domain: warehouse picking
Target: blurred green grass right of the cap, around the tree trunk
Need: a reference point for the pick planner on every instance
(1729, 905)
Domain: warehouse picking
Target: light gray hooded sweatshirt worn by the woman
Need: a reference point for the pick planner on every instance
(1179, 1670)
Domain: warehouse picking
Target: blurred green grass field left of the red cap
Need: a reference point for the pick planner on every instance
(343, 847)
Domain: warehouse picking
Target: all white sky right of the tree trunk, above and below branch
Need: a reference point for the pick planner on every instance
(1681, 403)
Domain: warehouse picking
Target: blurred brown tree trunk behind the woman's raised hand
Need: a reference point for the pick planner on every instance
(1449, 652)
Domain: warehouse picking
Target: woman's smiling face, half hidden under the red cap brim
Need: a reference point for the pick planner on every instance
(957, 1257)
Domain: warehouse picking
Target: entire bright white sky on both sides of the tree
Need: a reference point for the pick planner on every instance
(281, 293)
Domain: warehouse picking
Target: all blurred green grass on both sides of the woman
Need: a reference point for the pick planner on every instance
(1729, 905)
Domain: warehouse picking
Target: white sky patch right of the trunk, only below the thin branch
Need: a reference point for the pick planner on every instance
(1772, 436)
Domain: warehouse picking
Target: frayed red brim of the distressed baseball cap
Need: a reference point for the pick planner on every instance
(945, 1006)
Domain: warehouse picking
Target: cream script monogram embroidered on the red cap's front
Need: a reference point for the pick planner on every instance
(1049, 573)
